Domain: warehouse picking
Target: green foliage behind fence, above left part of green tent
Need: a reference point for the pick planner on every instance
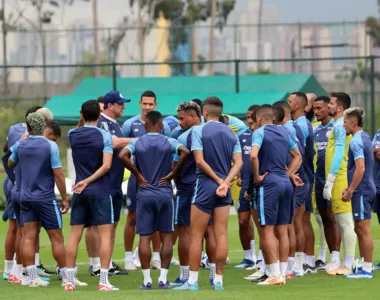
(88, 58)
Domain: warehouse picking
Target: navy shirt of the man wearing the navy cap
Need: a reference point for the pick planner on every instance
(117, 168)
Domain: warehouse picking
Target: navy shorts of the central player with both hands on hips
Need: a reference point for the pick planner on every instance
(154, 214)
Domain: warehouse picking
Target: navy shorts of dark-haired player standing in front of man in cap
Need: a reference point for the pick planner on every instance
(92, 210)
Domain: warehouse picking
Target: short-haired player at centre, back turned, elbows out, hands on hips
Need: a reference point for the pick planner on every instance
(153, 159)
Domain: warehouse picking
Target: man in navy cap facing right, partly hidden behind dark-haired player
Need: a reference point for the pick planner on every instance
(114, 105)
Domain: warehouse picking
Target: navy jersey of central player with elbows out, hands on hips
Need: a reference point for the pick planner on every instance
(153, 158)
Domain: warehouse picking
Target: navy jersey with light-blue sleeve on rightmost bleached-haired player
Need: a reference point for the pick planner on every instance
(361, 147)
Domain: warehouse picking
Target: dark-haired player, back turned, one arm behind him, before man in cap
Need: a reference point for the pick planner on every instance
(92, 201)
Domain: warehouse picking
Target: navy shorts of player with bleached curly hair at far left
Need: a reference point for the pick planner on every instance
(45, 212)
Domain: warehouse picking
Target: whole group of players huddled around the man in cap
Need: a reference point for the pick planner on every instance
(308, 155)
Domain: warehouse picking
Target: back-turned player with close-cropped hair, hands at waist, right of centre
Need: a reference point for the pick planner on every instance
(270, 145)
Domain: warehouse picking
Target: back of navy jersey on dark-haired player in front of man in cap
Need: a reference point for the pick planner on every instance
(95, 141)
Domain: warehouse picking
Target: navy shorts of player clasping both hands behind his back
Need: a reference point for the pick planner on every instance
(205, 197)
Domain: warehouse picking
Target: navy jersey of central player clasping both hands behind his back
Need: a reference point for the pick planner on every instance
(218, 143)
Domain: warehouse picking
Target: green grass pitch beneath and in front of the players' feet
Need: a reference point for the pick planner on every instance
(318, 286)
